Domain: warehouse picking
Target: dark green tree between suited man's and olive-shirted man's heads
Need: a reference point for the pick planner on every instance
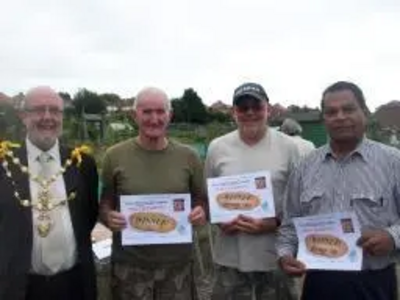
(89, 102)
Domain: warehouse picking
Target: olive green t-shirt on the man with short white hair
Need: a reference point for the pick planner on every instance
(129, 169)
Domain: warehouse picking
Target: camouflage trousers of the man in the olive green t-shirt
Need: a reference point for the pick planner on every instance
(134, 283)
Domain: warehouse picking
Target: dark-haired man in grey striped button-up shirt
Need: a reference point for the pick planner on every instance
(351, 173)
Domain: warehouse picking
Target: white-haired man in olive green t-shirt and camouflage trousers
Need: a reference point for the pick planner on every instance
(151, 164)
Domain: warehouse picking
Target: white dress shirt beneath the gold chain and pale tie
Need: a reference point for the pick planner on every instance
(57, 251)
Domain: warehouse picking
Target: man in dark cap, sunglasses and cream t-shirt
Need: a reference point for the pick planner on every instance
(244, 249)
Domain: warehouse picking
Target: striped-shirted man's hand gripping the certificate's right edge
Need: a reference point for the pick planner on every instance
(376, 242)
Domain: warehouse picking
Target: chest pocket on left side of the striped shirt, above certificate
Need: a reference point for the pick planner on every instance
(313, 202)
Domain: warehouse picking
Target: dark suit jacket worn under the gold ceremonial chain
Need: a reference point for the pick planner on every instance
(16, 222)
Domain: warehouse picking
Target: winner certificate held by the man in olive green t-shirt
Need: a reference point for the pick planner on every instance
(156, 219)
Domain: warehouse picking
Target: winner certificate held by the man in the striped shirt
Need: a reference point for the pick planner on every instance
(329, 241)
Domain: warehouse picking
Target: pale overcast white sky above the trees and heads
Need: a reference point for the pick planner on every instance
(295, 49)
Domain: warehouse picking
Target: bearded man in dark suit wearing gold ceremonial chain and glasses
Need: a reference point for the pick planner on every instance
(48, 208)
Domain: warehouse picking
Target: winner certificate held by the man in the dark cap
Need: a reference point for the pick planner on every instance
(248, 194)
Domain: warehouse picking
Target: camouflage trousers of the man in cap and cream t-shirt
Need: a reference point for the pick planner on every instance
(232, 284)
